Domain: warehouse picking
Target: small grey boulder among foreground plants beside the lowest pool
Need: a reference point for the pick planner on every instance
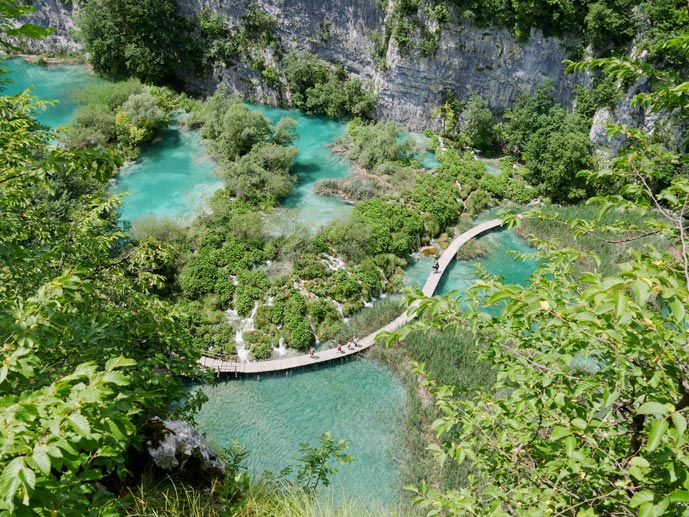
(176, 446)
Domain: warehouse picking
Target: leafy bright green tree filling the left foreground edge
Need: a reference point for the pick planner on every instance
(75, 298)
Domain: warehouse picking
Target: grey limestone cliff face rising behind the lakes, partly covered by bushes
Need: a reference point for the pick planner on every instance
(469, 59)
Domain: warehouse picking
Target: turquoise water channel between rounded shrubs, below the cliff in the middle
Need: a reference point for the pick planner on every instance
(303, 207)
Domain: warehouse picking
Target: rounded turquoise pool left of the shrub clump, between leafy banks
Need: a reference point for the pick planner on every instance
(174, 178)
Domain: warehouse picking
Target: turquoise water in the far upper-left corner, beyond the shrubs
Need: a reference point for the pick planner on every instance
(52, 82)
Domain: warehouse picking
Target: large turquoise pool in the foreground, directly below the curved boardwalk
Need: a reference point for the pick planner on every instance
(357, 400)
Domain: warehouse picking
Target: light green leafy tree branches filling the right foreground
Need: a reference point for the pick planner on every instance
(588, 413)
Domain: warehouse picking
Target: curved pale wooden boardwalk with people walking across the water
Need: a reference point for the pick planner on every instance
(331, 354)
